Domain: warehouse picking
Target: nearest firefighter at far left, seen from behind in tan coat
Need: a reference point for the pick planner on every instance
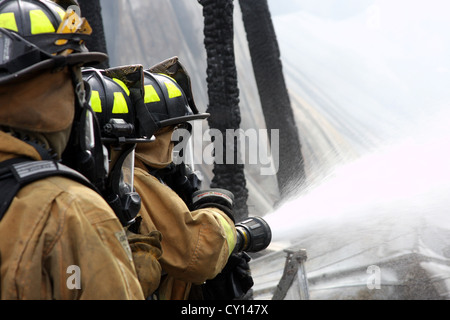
(60, 239)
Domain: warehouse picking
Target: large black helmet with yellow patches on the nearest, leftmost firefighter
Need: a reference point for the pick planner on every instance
(36, 35)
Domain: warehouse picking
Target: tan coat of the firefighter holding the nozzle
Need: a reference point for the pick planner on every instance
(195, 245)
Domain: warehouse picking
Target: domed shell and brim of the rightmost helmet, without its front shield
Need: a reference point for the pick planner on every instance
(166, 101)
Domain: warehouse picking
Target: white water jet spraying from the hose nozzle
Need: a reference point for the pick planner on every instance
(410, 173)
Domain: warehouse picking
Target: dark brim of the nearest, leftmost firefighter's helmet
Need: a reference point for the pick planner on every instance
(80, 59)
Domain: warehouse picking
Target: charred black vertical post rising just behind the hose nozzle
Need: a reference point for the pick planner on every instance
(223, 95)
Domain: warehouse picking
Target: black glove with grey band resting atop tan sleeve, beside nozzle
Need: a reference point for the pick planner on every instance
(216, 198)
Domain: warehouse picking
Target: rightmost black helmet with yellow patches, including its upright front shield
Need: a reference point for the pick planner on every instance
(168, 95)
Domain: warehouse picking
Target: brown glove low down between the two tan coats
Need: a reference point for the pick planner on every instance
(146, 250)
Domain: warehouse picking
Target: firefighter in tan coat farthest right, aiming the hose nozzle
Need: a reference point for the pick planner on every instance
(197, 240)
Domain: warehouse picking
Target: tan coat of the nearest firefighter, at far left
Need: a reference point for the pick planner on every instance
(60, 240)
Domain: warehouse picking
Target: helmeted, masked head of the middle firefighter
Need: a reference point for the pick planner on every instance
(114, 107)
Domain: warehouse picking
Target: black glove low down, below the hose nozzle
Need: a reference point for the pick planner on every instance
(233, 282)
